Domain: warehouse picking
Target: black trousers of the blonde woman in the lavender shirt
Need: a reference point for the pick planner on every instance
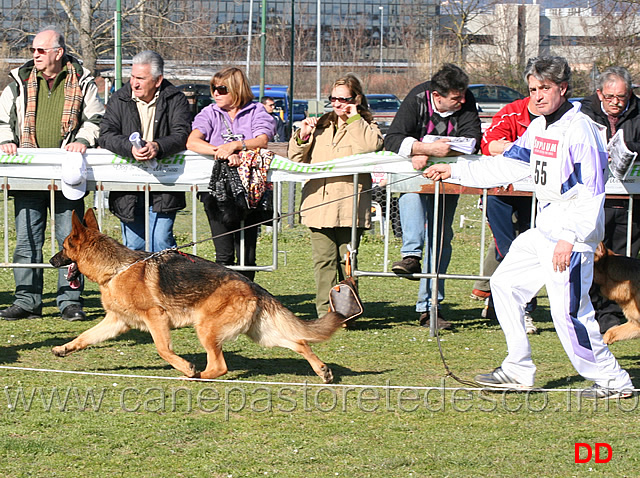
(228, 245)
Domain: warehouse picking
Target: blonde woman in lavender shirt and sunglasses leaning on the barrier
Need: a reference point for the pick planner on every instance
(223, 129)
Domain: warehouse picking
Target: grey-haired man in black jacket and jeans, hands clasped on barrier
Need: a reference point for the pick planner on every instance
(153, 107)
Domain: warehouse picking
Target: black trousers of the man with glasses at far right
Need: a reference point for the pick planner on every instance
(608, 312)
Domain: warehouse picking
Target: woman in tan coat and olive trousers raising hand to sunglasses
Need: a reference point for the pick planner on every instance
(348, 129)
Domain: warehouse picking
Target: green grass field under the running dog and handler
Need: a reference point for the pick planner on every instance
(393, 412)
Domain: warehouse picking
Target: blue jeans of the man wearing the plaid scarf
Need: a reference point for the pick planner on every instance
(31, 221)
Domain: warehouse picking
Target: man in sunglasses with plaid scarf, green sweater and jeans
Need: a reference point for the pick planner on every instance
(51, 102)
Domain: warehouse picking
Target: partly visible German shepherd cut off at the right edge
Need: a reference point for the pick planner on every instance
(619, 280)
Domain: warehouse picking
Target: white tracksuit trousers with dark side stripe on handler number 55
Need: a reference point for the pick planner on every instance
(525, 269)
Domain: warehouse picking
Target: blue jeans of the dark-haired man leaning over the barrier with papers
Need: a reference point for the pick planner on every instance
(416, 216)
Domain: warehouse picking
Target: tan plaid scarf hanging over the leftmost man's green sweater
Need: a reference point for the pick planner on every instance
(70, 111)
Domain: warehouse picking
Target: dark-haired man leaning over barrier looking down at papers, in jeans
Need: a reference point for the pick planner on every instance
(443, 107)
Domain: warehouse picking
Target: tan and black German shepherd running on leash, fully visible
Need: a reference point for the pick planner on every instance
(162, 291)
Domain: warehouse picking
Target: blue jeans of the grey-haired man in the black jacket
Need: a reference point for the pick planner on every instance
(160, 229)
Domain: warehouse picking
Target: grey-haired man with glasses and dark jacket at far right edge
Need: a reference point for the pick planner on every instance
(615, 106)
